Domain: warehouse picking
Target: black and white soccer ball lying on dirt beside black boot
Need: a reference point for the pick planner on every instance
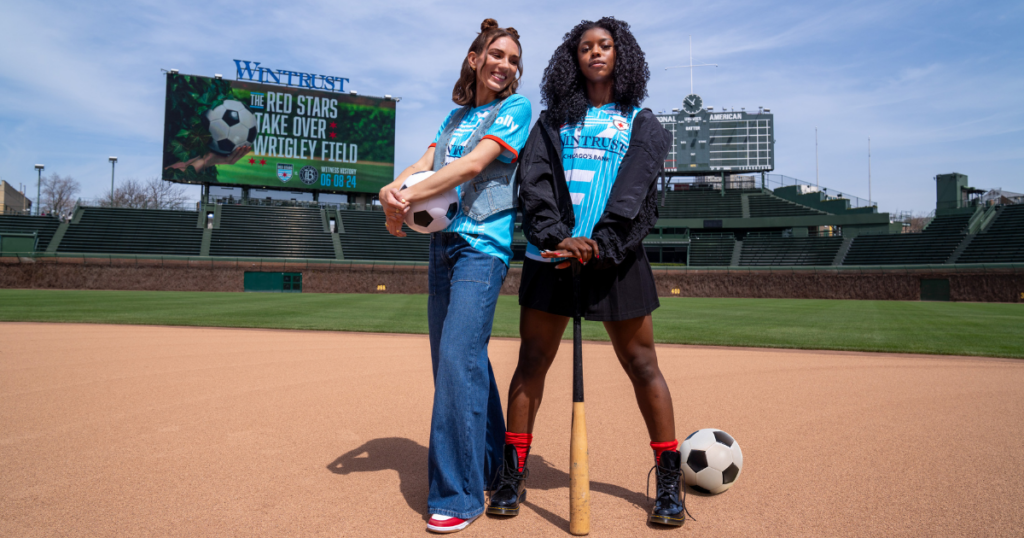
(712, 461)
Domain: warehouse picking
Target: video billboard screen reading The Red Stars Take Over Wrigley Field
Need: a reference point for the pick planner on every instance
(245, 134)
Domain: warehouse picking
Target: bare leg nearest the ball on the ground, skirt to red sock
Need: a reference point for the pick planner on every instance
(634, 345)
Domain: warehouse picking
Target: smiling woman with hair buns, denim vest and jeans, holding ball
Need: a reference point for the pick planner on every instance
(476, 152)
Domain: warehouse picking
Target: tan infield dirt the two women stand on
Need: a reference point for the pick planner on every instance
(117, 431)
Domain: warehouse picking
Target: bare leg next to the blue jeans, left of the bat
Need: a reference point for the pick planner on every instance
(541, 334)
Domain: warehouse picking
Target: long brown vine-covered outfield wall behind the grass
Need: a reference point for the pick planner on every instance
(1006, 286)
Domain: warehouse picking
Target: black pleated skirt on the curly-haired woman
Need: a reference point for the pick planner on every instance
(620, 293)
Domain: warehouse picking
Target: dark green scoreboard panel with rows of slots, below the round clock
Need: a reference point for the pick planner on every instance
(710, 142)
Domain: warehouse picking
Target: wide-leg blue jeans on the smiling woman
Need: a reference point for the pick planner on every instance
(467, 428)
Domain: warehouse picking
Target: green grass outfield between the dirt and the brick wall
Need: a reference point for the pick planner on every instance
(946, 328)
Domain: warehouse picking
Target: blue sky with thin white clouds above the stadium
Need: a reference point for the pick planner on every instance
(936, 86)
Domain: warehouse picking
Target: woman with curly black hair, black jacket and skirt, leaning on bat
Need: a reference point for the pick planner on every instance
(588, 192)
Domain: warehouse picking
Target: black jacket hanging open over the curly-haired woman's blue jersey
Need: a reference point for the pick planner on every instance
(632, 208)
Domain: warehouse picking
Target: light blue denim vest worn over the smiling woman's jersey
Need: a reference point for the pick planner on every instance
(491, 192)
